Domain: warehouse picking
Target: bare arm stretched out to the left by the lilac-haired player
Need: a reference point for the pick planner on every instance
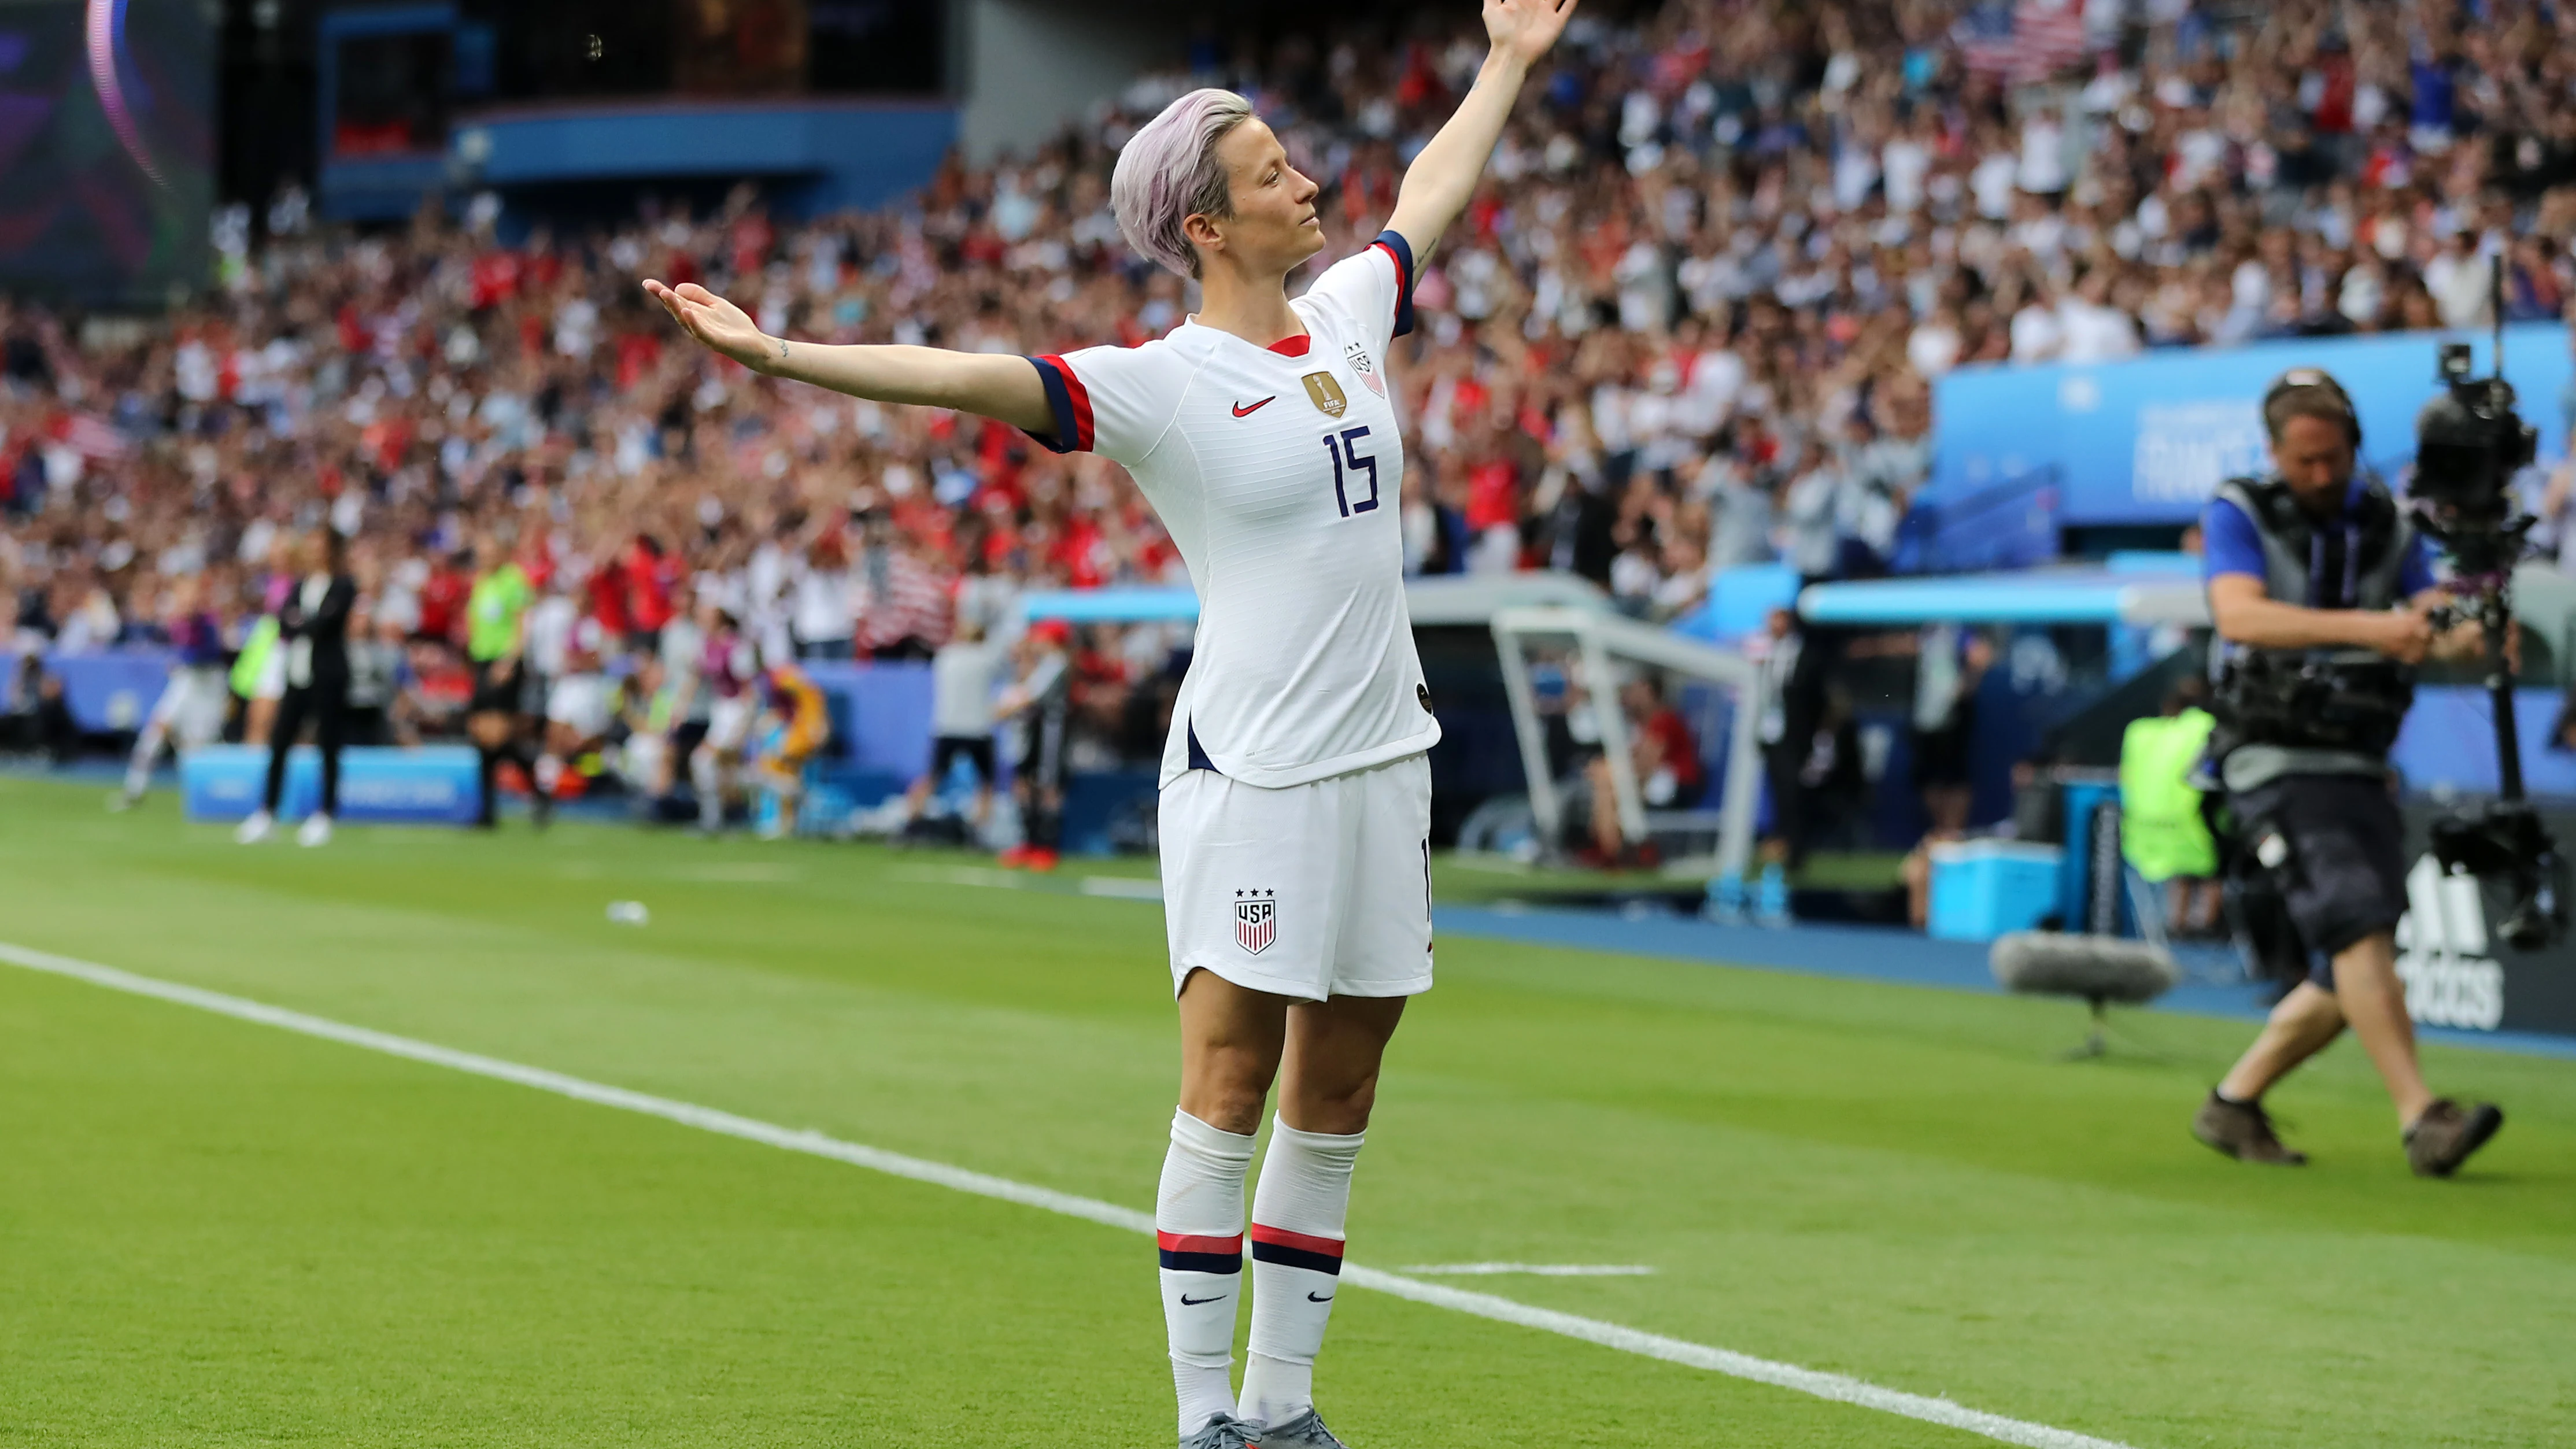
(990, 385)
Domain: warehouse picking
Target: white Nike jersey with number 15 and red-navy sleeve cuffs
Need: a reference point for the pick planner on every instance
(1279, 475)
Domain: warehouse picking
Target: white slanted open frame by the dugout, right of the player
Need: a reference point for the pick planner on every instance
(1601, 645)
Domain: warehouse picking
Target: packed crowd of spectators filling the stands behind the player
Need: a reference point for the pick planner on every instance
(1689, 323)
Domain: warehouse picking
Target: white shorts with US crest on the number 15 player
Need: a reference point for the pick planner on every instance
(1305, 892)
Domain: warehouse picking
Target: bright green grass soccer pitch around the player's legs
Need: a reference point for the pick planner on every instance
(225, 1234)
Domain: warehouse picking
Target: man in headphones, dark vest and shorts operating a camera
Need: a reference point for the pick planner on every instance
(2304, 562)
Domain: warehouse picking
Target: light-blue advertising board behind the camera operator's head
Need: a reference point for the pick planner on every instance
(2145, 441)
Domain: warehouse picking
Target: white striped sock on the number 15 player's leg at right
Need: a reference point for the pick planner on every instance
(1297, 1265)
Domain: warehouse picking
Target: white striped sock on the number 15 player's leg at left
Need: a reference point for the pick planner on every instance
(1199, 1226)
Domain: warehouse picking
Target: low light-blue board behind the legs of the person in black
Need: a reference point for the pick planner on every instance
(431, 786)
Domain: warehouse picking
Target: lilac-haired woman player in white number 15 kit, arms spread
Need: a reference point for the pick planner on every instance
(1294, 791)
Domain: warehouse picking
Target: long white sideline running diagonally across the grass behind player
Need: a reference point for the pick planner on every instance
(1088, 1208)
